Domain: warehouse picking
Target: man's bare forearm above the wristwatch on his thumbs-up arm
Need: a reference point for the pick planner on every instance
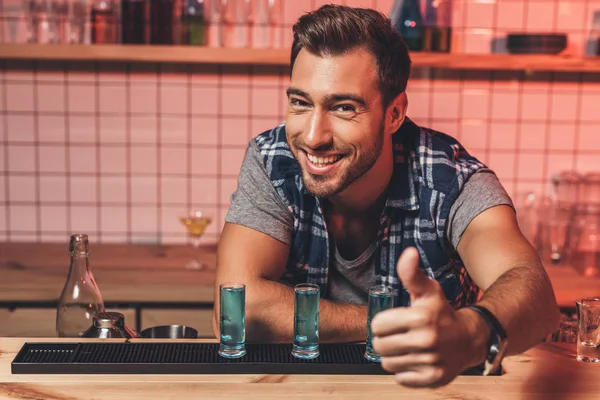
(523, 301)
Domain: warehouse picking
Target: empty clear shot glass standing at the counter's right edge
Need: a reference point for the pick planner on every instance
(588, 337)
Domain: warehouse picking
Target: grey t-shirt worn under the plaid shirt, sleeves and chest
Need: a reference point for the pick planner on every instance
(255, 204)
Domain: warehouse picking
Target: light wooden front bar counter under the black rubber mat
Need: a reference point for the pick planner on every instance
(548, 371)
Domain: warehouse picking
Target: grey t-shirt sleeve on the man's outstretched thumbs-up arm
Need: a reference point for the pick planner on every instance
(482, 191)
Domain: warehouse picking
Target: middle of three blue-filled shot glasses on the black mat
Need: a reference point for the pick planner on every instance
(306, 321)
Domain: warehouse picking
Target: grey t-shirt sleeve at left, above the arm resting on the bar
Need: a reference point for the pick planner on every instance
(256, 204)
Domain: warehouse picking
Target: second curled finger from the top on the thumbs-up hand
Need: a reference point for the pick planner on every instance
(403, 343)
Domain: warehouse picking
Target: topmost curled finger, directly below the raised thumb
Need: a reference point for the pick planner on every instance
(398, 320)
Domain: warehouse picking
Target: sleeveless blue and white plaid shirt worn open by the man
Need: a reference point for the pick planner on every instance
(429, 172)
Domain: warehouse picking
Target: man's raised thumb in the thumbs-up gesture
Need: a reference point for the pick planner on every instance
(414, 280)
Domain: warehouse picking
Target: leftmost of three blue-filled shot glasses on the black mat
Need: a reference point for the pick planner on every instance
(233, 320)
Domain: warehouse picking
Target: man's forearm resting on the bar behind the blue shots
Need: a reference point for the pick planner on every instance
(270, 316)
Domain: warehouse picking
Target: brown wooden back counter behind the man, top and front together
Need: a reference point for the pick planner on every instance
(149, 284)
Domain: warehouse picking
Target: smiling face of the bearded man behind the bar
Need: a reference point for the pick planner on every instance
(335, 119)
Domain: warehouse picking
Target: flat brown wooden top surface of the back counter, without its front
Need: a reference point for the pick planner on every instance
(138, 273)
